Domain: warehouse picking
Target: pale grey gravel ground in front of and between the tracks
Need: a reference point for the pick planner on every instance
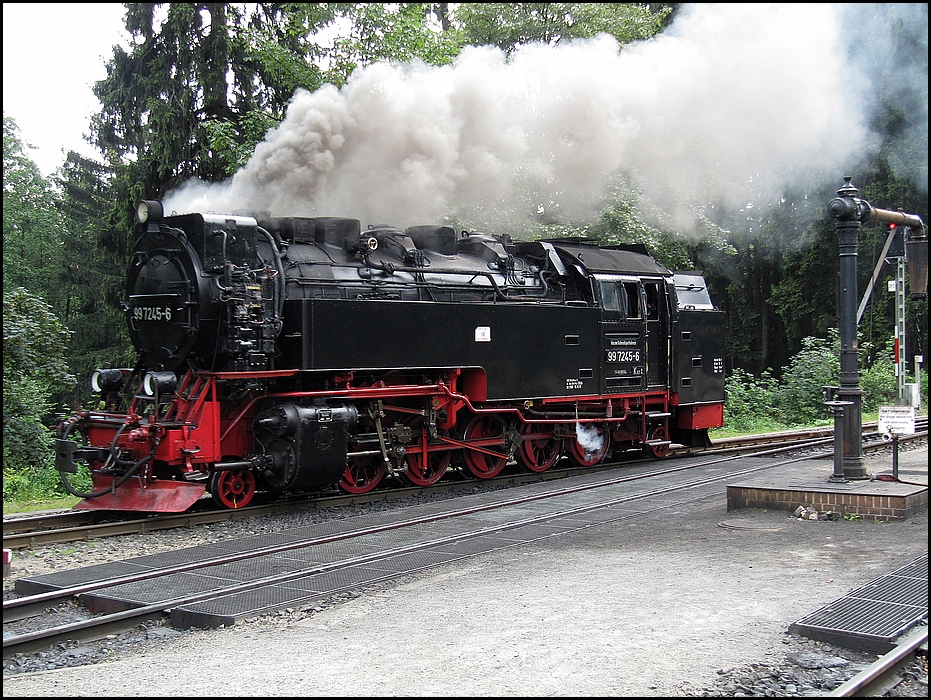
(666, 605)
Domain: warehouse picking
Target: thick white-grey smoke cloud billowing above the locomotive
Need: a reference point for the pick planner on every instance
(732, 102)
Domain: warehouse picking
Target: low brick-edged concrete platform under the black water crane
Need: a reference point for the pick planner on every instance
(807, 484)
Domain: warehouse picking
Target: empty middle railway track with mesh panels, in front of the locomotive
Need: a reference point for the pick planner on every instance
(649, 489)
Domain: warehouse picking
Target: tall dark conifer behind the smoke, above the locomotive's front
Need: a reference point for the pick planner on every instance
(200, 83)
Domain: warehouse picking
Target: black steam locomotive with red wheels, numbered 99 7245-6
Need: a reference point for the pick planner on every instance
(288, 355)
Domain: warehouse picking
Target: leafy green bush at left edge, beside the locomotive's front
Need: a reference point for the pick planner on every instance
(34, 343)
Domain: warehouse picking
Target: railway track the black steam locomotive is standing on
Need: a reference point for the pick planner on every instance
(20, 532)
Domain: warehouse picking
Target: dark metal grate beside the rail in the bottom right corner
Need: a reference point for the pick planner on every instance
(872, 617)
